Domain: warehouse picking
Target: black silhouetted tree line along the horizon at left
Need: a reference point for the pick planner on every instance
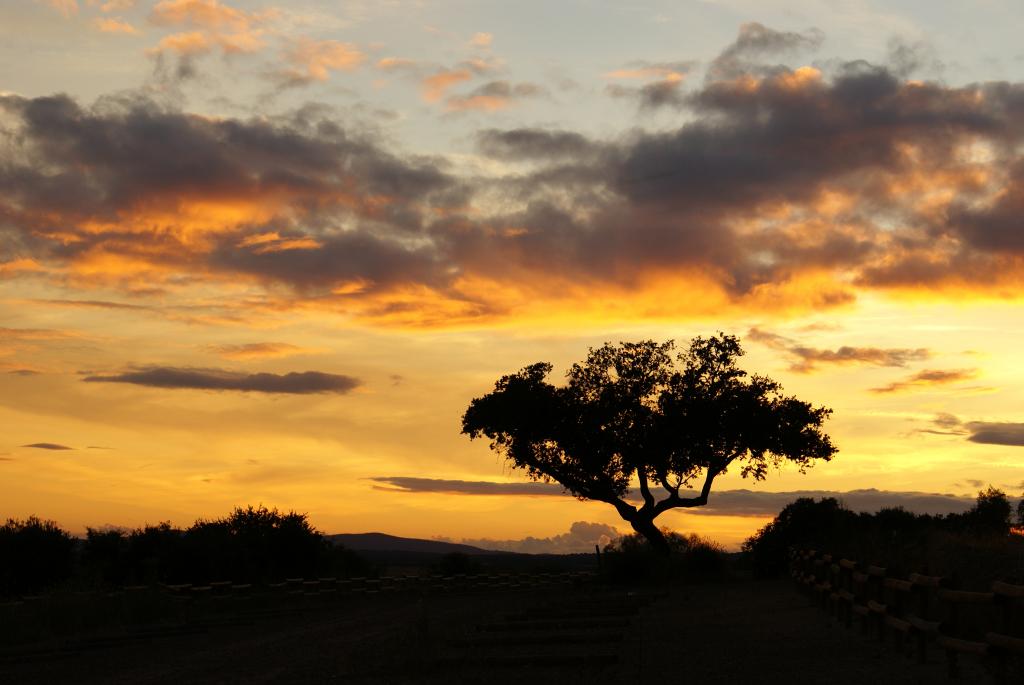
(250, 545)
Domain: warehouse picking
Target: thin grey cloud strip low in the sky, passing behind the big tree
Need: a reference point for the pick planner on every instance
(722, 503)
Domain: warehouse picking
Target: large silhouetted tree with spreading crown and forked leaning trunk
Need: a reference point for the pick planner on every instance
(631, 412)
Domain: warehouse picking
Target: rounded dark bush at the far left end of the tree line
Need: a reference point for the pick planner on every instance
(34, 555)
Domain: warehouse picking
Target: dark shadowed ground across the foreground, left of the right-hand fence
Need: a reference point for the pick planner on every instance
(745, 632)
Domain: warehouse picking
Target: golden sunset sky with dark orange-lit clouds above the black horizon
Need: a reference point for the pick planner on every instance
(268, 254)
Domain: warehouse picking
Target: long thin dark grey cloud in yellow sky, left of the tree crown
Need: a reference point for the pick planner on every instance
(216, 379)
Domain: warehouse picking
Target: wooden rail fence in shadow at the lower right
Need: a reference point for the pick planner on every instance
(920, 613)
